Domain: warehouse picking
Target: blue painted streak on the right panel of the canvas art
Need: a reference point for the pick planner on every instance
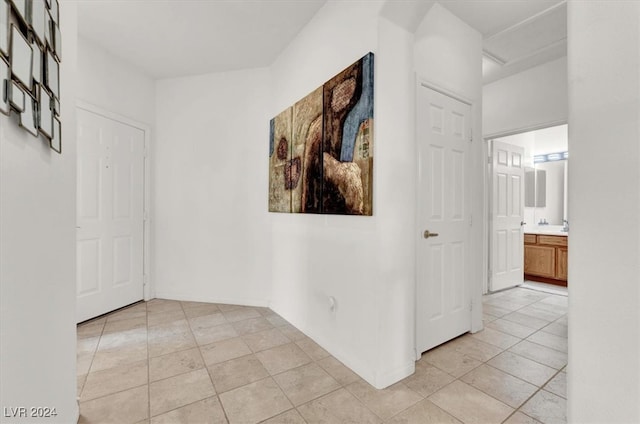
(362, 111)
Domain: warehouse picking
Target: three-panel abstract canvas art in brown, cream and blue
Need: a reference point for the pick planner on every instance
(321, 148)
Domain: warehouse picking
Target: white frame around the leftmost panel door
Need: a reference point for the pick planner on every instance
(148, 287)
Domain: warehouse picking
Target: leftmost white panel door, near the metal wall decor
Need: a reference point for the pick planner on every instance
(110, 205)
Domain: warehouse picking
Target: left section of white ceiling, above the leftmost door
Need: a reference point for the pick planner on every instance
(171, 38)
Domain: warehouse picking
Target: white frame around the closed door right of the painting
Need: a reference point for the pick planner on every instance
(475, 323)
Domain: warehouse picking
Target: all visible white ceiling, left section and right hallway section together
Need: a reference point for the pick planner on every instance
(171, 38)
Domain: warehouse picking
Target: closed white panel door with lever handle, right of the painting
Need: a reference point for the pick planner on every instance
(443, 309)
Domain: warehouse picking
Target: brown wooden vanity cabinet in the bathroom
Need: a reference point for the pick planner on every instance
(545, 258)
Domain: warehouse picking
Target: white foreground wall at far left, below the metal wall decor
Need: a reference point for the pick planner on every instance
(37, 257)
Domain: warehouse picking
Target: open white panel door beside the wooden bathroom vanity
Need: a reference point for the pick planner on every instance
(507, 244)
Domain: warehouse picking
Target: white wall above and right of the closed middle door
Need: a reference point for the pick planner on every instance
(448, 54)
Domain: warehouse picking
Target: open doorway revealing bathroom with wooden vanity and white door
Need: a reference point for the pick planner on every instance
(528, 209)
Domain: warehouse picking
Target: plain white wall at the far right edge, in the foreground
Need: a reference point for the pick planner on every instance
(604, 266)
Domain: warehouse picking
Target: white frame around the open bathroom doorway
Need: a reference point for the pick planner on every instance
(488, 190)
